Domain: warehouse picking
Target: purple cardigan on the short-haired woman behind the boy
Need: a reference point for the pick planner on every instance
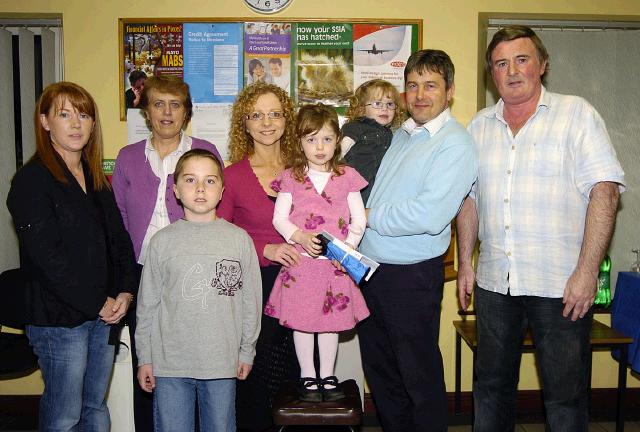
(136, 189)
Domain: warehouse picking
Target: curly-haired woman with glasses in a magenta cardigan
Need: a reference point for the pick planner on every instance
(262, 138)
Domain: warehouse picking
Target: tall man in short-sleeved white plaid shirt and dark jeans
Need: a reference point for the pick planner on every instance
(543, 208)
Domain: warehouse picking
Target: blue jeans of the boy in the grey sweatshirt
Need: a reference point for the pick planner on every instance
(174, 401)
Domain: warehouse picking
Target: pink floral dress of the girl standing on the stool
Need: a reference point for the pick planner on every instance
(315, 296)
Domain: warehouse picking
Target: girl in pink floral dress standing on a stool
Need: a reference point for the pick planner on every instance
(317, 194)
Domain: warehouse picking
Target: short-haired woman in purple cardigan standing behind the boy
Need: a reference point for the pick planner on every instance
(143, 185)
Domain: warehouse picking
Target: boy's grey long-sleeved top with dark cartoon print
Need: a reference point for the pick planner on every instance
(200, 299)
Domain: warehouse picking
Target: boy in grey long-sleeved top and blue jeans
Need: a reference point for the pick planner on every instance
(199, 306)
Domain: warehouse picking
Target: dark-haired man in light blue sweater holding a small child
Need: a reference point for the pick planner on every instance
(423, 179)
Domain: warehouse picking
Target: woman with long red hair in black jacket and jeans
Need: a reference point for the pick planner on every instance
(78, 256)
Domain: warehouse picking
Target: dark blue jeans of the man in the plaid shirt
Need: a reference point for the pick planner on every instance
(563, 354)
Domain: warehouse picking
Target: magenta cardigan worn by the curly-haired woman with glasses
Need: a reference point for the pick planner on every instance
(245, 204)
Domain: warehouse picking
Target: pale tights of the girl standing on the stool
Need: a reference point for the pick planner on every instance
(327, 350)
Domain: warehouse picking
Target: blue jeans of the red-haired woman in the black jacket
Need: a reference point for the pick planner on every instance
(76, 366)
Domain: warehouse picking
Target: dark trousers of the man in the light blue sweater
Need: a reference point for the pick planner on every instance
(399, 346)
